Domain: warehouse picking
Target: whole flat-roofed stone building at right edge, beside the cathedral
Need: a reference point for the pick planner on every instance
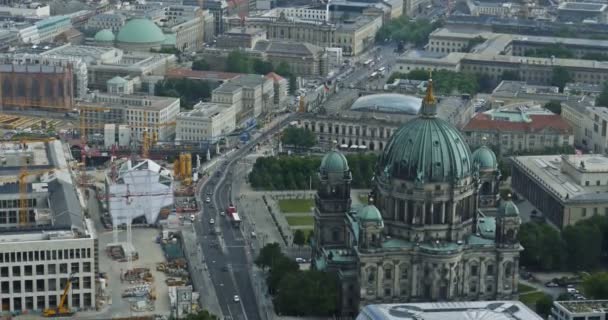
(566, 188)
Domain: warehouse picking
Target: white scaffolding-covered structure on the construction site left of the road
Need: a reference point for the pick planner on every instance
(142, 189)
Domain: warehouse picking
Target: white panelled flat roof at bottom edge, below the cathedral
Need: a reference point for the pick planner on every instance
(495, 310)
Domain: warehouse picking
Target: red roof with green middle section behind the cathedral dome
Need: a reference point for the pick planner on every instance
(483, 122)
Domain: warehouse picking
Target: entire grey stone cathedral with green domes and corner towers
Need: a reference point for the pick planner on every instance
(424, 235)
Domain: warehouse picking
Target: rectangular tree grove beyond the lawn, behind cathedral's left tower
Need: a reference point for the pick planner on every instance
(299, 173)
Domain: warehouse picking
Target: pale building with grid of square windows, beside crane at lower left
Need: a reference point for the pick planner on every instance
(52, 240)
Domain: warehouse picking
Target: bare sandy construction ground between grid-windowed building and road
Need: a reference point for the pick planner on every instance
(150, 253)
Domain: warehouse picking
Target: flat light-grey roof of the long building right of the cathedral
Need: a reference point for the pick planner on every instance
(546, 170)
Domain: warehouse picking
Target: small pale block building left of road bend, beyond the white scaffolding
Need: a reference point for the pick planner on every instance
(206, 121)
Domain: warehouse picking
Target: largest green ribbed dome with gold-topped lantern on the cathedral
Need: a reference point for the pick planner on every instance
(426, 149)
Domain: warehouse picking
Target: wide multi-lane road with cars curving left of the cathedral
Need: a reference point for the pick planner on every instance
(227, 255)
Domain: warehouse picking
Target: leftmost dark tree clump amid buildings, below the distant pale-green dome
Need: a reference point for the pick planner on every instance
(190, 91)
